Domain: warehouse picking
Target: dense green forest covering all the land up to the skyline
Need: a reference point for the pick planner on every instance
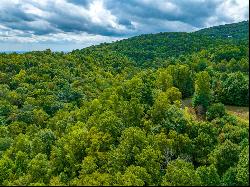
(113, 114)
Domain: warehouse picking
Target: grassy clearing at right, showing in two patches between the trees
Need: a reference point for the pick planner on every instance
(241, 112)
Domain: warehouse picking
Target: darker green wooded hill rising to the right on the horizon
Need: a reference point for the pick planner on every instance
(149, 47)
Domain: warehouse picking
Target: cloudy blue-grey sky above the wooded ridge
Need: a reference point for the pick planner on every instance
(64, 25)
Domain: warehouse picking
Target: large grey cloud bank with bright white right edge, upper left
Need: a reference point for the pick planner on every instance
(61, 16)
